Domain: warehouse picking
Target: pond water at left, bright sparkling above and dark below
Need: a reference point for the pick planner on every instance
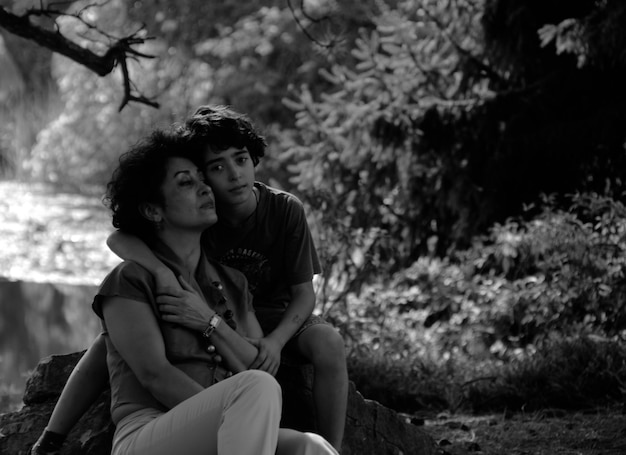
(52, 255)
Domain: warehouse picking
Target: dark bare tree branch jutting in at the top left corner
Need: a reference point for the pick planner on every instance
(102, 65)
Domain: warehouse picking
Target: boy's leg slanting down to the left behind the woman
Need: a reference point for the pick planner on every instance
(87, 381)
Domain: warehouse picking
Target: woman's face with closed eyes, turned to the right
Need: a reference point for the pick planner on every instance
(188, 202)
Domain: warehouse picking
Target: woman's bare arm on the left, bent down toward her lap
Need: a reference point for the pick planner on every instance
(135, 333)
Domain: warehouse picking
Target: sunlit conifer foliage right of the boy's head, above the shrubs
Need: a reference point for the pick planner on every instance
(360, 161)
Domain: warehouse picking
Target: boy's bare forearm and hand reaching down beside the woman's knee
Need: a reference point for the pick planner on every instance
(299, 309)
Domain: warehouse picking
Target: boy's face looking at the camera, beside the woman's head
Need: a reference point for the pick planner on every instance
(230, 173)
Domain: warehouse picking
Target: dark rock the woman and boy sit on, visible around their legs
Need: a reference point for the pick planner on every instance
(370, 427)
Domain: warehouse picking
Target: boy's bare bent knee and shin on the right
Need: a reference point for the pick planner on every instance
(322, 345)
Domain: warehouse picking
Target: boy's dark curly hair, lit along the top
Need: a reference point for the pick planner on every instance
(219, 128)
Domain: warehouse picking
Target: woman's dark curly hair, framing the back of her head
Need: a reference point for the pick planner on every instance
(137, 180)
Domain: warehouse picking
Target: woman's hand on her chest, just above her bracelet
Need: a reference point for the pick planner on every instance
(185, 307)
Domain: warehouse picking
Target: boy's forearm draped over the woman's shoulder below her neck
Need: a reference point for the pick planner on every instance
(131, 248)
